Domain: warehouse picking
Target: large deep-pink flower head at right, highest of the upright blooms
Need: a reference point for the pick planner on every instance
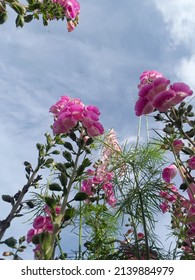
(156, 93)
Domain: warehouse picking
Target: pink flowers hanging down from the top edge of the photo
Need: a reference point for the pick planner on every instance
(71, 11)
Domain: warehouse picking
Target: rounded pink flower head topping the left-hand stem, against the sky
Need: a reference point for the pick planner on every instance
(68, 112)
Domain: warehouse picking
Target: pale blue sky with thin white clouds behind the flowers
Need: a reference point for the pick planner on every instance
(100, 63)
